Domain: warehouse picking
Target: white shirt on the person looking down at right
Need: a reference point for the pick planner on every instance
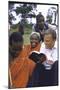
(50, 53)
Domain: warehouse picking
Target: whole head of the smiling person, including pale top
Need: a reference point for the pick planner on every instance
(34, 39)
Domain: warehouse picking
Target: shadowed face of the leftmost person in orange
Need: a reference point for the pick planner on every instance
(16, 48)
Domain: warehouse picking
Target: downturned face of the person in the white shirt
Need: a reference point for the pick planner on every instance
(49, 42)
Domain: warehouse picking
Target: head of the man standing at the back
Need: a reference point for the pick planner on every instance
(40, 21)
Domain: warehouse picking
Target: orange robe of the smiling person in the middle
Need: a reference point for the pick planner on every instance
(31, 62)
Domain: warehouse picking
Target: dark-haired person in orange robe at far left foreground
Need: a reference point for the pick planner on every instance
(19, 70)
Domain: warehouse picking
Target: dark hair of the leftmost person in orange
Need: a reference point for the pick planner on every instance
(16, 37)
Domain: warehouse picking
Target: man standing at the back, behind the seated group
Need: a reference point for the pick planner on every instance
(40, 26)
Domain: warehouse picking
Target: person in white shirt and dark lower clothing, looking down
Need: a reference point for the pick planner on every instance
(46, 74)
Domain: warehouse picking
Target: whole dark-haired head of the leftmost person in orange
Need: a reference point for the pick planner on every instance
(15, 43)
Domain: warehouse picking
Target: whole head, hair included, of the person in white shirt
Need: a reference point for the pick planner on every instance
(49, 38)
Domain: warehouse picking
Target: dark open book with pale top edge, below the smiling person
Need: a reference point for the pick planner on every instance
(37, 57)
